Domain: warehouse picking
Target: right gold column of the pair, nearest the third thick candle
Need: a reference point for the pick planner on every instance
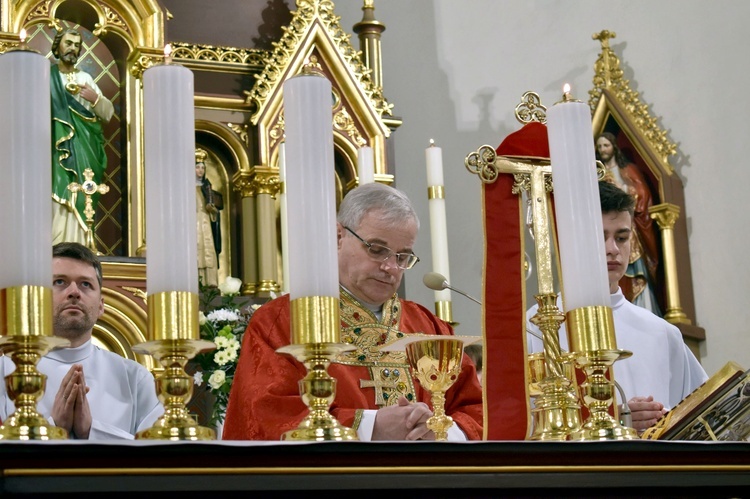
(267, 186)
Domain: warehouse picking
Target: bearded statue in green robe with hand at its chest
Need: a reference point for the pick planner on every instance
(78, 110)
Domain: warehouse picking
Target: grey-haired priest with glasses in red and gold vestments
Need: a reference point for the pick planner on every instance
(375, 393)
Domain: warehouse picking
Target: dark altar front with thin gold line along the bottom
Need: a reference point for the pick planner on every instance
(424, 469)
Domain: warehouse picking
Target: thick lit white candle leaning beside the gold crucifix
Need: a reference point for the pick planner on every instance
(577, 206)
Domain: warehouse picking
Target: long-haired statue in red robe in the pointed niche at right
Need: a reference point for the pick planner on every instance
(639, 282)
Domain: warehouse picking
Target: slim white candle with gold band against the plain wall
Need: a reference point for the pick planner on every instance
(438, 223)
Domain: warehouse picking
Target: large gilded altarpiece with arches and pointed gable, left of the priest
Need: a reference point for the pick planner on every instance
(239, 126)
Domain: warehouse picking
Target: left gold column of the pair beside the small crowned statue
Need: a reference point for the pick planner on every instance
(244, 185)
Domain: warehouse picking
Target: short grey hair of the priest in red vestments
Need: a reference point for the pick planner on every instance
(393, 204)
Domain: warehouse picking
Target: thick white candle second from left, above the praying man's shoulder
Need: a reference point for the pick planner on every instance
(169, 142)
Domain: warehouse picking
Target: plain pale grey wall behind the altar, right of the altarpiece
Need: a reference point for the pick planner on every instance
(456, 69)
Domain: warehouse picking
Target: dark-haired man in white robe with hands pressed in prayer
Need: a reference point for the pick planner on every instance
(91, 393)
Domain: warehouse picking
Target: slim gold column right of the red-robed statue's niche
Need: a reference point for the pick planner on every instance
(666, 214)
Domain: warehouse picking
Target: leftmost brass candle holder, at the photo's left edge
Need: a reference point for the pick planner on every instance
(26, 321)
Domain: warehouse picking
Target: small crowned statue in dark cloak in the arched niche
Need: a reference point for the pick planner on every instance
(208, 204)
